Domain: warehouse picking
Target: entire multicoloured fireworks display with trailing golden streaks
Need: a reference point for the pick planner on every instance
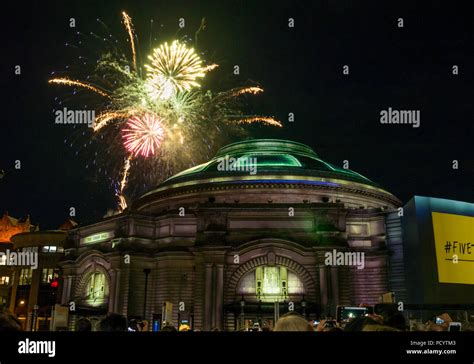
(165, 111)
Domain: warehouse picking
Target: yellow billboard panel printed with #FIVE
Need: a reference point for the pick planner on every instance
(454, 242)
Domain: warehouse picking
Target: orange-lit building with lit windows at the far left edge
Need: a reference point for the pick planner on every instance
(30, 272)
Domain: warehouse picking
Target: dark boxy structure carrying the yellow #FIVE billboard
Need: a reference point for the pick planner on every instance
(432, 259)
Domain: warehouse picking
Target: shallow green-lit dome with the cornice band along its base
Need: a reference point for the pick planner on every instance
(269, 165)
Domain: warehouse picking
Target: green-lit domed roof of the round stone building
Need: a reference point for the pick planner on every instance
(266, 162)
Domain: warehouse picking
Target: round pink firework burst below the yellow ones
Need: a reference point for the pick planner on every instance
(143, 135)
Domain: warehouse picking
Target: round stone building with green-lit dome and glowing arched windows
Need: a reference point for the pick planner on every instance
(234, 241)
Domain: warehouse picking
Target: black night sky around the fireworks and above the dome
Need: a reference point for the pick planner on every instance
(300, 68)
